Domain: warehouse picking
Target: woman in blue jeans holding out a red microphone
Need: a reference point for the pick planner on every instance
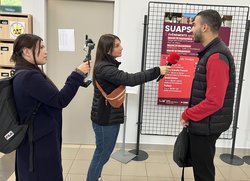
(106, 120)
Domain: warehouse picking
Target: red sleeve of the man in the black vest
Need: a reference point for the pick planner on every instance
(217, 81)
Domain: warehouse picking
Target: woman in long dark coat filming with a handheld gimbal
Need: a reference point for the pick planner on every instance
(31, 87)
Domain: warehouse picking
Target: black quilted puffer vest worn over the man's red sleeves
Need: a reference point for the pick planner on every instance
(221, 120)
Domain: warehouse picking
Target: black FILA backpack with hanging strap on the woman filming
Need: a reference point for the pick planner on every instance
(12, 132)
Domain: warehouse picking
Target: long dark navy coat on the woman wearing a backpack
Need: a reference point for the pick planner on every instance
(31, 87)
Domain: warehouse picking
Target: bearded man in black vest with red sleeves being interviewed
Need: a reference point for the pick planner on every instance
(210, 109)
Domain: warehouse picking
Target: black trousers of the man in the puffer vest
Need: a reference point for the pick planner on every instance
(202, 151)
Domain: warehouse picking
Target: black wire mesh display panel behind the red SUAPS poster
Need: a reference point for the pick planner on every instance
(163, 119)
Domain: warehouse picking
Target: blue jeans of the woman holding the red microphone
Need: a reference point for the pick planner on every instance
(105, 142)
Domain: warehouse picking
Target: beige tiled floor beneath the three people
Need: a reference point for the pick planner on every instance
(158, 167)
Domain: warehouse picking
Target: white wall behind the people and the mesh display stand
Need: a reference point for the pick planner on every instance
(130, 31)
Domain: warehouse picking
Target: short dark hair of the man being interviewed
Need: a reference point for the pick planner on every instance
(212, 18)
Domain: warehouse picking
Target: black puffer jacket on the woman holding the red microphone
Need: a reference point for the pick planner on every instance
(109, 77)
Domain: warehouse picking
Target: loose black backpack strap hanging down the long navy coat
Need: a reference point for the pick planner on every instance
(30, 135)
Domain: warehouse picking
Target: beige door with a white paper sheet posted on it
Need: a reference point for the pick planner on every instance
(84, 17)
